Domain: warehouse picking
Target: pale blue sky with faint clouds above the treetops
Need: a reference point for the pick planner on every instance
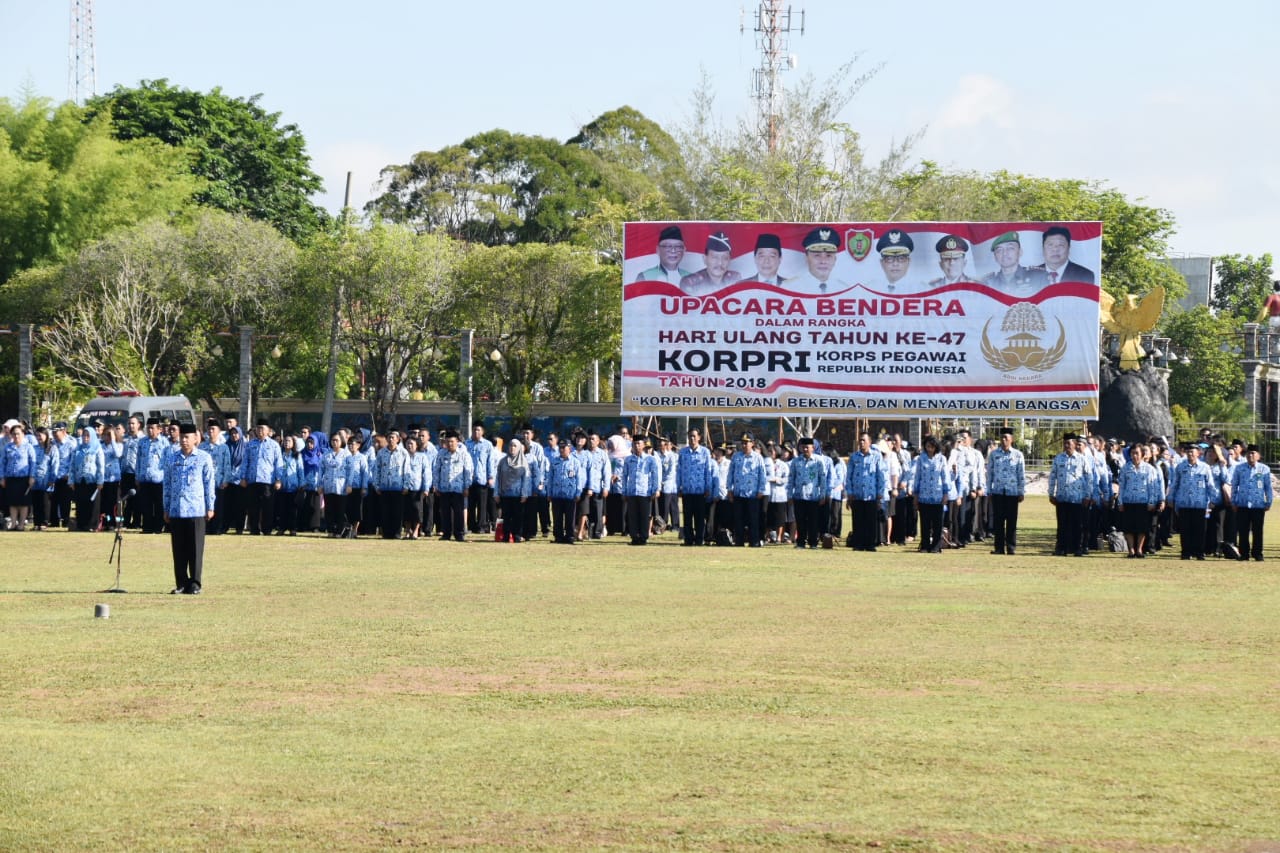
(1173, 104)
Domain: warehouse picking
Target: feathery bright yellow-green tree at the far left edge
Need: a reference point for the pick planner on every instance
(65, 181)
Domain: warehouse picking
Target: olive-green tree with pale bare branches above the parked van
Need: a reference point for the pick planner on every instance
(138, 311)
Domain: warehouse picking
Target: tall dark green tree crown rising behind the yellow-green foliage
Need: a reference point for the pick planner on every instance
(253, 165)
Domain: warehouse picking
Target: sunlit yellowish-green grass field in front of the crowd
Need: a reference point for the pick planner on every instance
(377, 695)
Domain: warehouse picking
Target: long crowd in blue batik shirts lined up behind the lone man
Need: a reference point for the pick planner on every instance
(413, 485)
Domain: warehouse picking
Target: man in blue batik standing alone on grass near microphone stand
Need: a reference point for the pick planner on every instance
(190, 498)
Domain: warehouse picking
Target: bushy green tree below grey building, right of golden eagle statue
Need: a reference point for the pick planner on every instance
(1214, 376)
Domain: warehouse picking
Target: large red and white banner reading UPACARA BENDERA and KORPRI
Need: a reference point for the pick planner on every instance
(862, 320)
